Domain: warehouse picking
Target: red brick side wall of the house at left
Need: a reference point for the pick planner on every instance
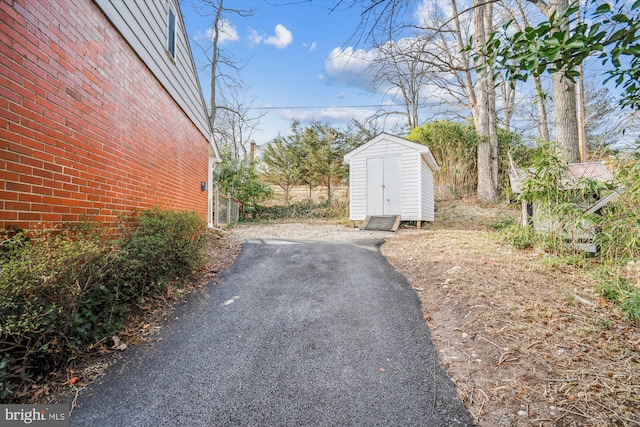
(85, 129)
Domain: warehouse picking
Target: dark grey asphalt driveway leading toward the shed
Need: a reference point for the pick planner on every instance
(295, 334)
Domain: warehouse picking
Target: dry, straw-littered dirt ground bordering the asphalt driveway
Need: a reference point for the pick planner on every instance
(523, 335)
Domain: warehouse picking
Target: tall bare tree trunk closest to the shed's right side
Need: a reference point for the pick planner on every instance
(486, 190)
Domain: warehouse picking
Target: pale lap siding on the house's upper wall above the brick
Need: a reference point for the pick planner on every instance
(143, 24)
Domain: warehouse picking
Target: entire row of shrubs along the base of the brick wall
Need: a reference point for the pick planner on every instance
(64, 290)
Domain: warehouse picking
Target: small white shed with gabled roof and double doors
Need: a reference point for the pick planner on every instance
(391, 176)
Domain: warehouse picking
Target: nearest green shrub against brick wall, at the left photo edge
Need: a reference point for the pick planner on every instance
(47, 279)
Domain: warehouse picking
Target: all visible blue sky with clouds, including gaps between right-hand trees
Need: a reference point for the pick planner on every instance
(302, 64)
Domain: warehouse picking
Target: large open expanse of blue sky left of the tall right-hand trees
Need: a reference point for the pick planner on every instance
(295, 62)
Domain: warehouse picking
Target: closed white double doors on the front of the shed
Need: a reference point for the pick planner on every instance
(384, 185)
